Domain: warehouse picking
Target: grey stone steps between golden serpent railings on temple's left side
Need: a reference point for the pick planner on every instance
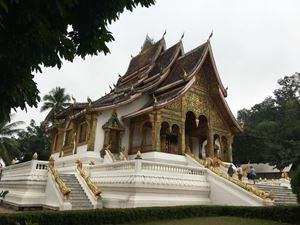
(78, 197)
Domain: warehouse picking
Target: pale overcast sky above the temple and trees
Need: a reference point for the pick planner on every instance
(255, 43)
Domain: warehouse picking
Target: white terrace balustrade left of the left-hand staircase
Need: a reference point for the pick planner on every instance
(31, 170)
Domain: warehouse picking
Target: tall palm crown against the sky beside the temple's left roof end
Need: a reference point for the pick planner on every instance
(56, 101)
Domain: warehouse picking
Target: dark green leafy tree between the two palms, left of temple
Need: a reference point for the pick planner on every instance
(34, 139)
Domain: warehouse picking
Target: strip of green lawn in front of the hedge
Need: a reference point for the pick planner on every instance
(212, 221)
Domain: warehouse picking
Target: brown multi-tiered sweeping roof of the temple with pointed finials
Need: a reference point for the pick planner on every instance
(165, 75)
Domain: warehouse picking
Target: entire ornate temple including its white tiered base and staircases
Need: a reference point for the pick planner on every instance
(162, 137)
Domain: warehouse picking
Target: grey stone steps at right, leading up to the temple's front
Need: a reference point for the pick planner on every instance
(282, 195)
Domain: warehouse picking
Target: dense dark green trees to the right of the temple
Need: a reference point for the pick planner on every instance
(272, 127)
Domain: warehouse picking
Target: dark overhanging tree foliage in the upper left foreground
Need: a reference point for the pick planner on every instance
(43, 33)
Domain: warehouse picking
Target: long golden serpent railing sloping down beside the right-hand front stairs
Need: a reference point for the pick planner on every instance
(248, 187)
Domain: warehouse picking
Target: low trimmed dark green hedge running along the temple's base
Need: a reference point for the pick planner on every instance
(119, 216)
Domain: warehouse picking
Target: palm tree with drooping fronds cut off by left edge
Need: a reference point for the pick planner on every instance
(9, 146)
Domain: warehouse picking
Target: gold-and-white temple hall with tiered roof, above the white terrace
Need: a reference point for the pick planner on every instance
(167, 101)
